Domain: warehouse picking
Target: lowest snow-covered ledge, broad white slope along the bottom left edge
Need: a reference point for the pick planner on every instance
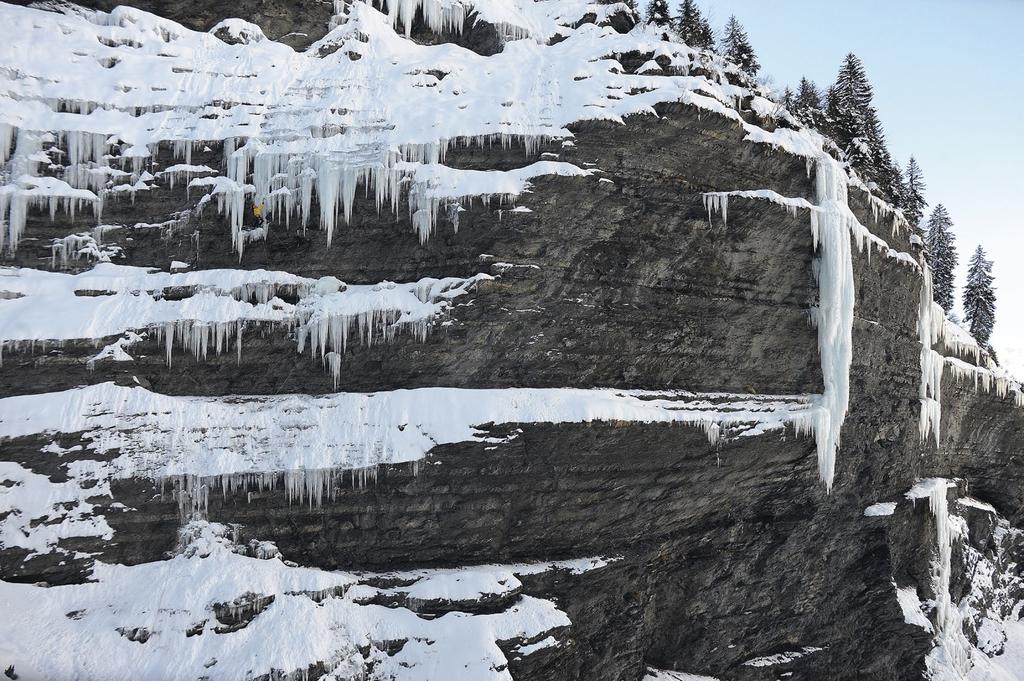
(211, 611)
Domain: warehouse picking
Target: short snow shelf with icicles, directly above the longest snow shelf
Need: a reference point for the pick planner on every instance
(215, 308)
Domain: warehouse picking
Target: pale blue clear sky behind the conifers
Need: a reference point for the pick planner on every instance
(949, 79)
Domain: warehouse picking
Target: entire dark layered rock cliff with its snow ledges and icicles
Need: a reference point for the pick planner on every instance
(652, 354)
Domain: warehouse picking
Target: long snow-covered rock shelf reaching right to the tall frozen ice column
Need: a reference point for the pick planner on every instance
(239, 442)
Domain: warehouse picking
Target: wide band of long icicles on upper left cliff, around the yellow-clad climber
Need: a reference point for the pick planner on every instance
(283, 177)
